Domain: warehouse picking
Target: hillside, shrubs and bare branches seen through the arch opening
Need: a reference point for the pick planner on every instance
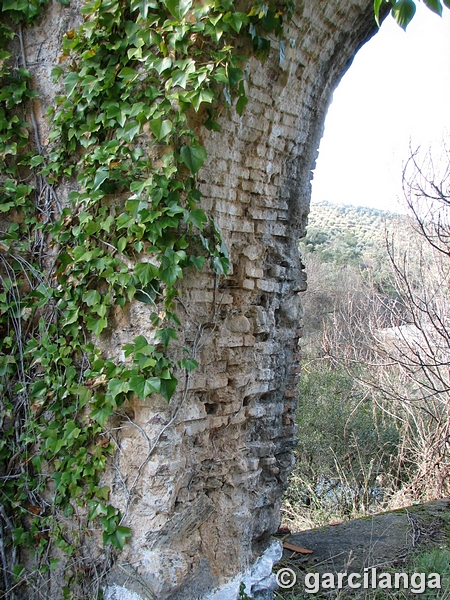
(374, 388)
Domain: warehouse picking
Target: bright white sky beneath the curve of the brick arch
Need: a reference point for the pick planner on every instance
(395, 95)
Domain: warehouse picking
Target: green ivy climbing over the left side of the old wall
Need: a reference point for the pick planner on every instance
(138, 79)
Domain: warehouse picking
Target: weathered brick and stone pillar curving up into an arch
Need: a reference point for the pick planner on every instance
(200, 480)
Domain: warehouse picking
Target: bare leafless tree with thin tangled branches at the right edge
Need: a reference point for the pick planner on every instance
(403, 340)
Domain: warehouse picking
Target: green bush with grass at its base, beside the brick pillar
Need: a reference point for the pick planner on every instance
(341, 429)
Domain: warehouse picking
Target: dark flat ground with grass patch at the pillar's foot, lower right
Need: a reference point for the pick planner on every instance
(410, 540)
